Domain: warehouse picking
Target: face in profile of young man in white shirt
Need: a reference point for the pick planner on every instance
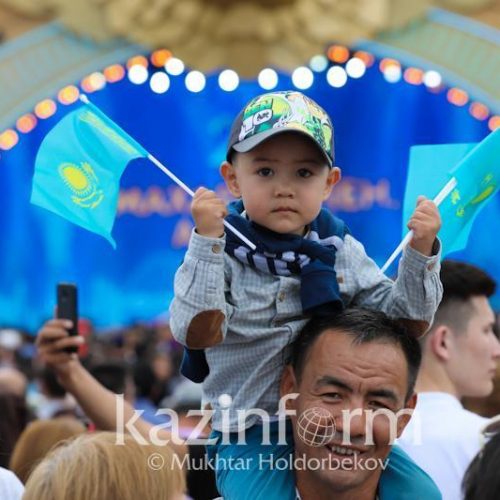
(474, 352)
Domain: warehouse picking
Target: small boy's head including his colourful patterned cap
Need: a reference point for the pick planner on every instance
(280, 160)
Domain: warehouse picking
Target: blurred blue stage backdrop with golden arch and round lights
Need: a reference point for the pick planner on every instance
(174, 74)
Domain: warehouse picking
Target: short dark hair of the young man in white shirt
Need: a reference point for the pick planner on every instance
(461, 283)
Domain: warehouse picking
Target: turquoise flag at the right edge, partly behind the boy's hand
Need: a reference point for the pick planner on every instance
(476, 168)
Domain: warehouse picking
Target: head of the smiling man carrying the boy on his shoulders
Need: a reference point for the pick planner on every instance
(353, 364)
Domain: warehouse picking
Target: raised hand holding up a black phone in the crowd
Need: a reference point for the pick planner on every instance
(51, 341)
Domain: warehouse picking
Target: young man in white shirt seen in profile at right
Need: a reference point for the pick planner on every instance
(460, 356)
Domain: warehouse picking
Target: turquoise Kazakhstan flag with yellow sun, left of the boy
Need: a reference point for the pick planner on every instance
(78, 169)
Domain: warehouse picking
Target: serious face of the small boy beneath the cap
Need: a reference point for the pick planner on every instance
(282, 182)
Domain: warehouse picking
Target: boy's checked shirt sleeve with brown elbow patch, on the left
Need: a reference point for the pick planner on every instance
(198, 311)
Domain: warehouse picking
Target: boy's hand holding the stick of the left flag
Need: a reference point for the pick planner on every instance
(208, 212)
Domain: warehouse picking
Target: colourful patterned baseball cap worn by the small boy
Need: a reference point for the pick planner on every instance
(277, 112)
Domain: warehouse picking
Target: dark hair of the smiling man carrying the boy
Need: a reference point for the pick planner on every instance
(363, 326)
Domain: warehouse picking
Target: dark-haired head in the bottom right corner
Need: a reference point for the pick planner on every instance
(482, 480)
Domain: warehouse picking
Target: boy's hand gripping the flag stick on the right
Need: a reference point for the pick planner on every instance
(425, 224)
